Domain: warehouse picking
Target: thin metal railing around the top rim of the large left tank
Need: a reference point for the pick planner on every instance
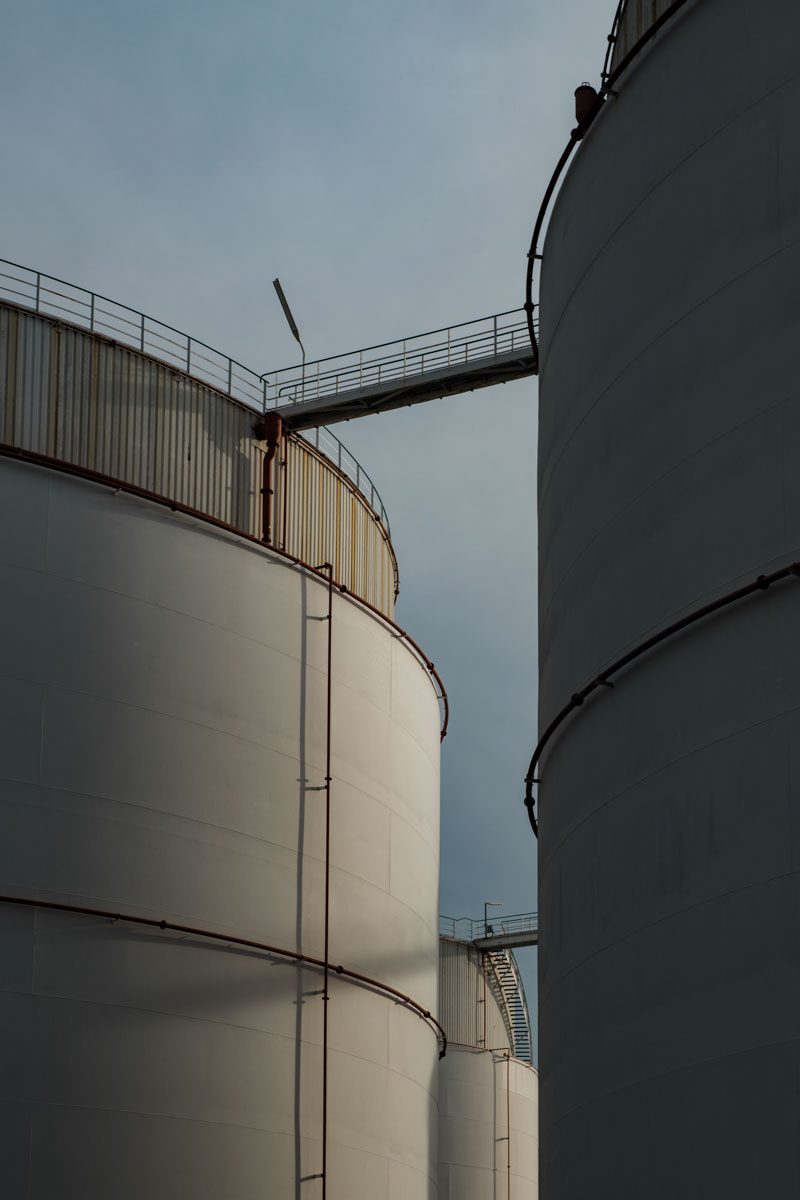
(50, 296)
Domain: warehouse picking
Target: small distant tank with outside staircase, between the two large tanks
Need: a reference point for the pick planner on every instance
(489, 1137)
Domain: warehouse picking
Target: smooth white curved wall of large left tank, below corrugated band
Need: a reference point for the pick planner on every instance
(163, 752)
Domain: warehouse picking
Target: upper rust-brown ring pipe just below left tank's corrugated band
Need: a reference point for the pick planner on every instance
(20, 454)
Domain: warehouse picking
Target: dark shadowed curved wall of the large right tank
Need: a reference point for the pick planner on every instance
(670, 811)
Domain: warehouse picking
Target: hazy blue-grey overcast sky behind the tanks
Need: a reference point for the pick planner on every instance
(387, 161)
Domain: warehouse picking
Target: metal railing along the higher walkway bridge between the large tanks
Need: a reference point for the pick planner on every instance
(388, 363)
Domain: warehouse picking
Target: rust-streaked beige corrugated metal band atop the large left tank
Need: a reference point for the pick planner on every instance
(77, 397)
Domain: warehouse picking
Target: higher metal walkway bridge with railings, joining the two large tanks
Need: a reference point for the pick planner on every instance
(411, 371)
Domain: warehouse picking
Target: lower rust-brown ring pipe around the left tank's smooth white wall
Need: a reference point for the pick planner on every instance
(236, 941)
